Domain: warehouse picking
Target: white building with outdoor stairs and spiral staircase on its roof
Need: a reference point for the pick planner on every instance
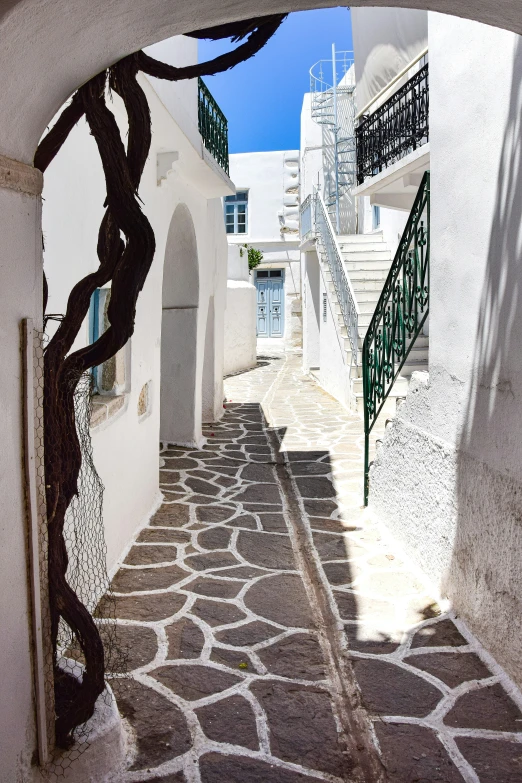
(350, 239)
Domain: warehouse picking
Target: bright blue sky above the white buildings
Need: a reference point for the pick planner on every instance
(262, 97)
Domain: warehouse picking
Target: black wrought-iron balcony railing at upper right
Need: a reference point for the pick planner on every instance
(395, 129)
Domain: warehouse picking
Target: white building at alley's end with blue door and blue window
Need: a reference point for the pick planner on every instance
(264, 214)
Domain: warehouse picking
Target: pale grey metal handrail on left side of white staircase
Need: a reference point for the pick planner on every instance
(322, 228)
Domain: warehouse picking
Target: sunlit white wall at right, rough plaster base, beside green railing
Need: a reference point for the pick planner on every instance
(448, 478)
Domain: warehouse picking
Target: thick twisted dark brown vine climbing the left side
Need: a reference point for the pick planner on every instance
(126, 262)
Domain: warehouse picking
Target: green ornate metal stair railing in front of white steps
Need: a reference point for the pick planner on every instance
(399, 316)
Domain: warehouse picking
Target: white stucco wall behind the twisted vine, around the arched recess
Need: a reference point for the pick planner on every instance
(126, 446)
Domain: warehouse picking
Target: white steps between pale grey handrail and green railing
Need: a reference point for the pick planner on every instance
(367, 261)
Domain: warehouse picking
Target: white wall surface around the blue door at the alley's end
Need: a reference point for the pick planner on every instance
(272, 180)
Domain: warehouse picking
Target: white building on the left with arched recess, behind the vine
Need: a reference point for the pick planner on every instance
(168, 378)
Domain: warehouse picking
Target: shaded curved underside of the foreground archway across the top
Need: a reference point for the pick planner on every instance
(50, 47)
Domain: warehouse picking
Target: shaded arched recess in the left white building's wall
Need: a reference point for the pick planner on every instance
(179, 330)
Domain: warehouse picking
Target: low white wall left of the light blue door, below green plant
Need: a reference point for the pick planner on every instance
(240, 315)
